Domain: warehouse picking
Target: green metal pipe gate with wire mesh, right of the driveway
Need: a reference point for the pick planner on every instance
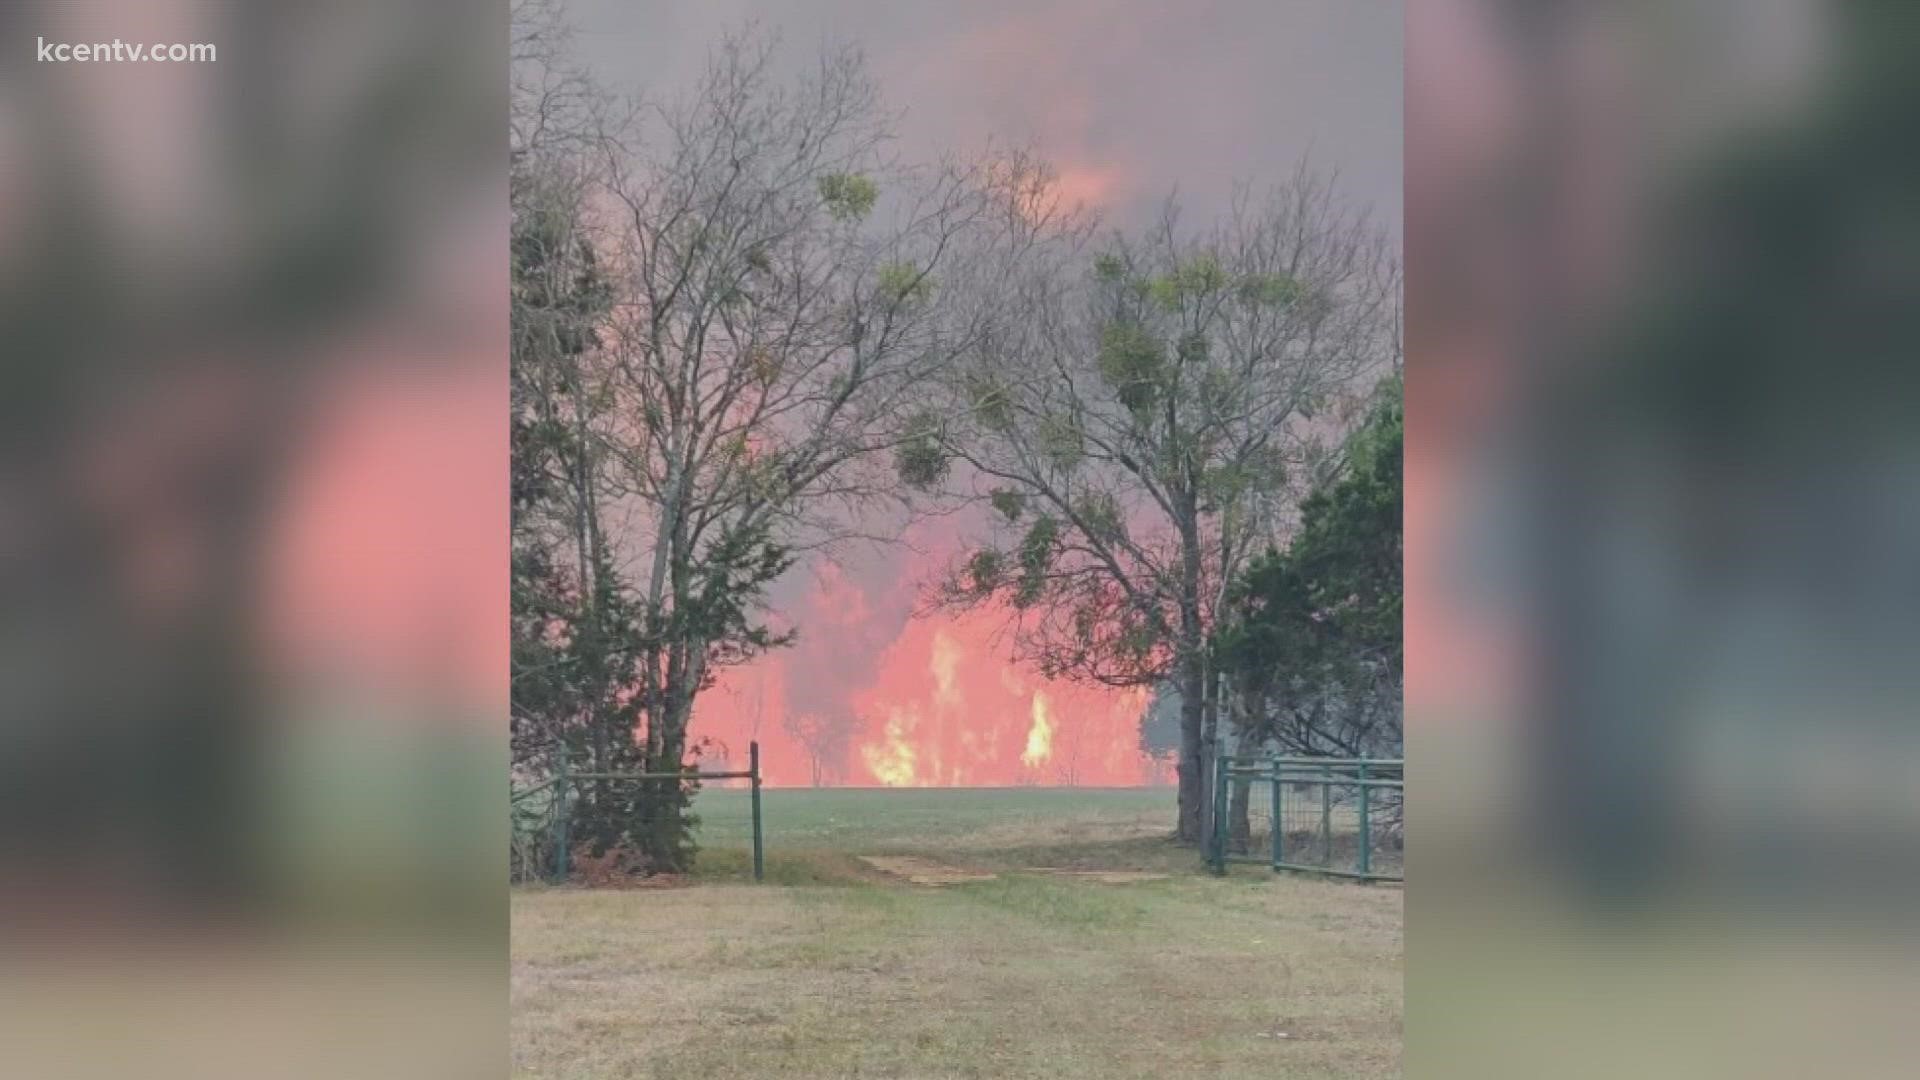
(1326, 816)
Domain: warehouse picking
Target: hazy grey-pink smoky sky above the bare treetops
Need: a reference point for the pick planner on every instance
(1130, 99)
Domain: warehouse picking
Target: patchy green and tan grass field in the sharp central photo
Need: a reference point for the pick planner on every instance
(840, 970)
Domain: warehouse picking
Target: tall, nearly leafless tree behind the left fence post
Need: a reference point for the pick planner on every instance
(782, 295)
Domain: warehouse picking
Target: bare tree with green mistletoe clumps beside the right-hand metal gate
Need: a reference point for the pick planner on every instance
(1145, 420)
